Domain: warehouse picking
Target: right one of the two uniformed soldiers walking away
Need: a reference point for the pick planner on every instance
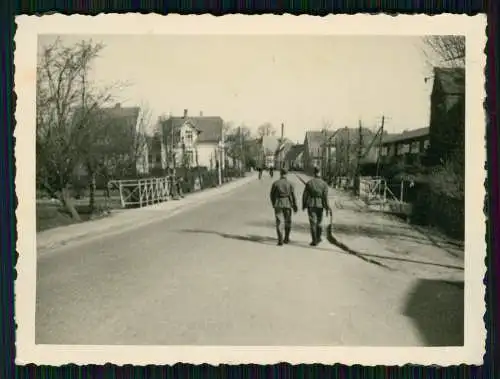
(315, 200)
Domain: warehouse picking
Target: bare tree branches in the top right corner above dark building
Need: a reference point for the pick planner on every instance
(445, 50)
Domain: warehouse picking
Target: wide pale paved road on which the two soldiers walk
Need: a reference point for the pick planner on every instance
(213, 275)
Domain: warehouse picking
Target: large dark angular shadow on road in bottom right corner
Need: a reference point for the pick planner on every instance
(437, 309)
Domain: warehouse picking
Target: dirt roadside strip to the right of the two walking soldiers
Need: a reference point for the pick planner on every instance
(388, 241)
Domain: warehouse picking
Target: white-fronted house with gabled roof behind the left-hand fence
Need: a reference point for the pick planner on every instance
(193, 140)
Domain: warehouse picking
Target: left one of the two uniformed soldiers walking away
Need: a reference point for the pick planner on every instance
(283, 201)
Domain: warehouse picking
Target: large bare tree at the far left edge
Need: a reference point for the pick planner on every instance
(62, 140)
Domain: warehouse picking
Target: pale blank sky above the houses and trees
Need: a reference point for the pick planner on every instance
(301, 81)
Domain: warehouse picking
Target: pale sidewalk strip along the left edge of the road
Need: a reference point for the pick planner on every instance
(163, 211)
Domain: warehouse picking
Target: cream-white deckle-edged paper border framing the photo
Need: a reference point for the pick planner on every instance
(28, 29)
